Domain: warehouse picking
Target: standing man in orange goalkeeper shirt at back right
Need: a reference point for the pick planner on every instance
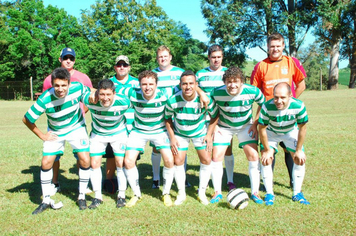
(278, 68)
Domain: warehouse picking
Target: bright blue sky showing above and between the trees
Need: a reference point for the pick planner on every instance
(185, 11)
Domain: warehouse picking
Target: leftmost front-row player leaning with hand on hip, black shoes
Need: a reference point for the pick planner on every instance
(65, 123)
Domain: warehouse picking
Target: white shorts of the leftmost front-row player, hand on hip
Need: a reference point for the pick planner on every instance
(78, 139)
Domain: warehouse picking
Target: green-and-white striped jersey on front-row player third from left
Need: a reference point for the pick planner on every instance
(149, 114)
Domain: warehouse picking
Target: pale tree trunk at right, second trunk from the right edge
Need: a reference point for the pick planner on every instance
(334, 60)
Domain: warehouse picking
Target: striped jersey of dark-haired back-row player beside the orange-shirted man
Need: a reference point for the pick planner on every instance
(208, 79)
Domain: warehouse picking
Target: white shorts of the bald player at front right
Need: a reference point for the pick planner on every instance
(290, 140)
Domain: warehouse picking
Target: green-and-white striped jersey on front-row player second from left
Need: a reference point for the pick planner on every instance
(107, 121)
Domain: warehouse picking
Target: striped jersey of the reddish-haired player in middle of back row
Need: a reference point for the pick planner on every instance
(169, 78)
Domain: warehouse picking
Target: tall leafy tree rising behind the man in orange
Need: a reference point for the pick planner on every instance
(241, 24)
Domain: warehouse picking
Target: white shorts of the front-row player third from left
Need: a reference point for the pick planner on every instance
(137, 141)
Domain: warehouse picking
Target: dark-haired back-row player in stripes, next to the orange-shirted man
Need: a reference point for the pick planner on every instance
(208, 79)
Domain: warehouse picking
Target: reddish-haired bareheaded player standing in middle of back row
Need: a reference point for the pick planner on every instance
(168, 77)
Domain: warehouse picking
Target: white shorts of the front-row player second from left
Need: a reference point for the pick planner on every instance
(98, 144)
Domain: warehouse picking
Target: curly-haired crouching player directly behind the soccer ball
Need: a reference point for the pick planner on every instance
(234, 101)
